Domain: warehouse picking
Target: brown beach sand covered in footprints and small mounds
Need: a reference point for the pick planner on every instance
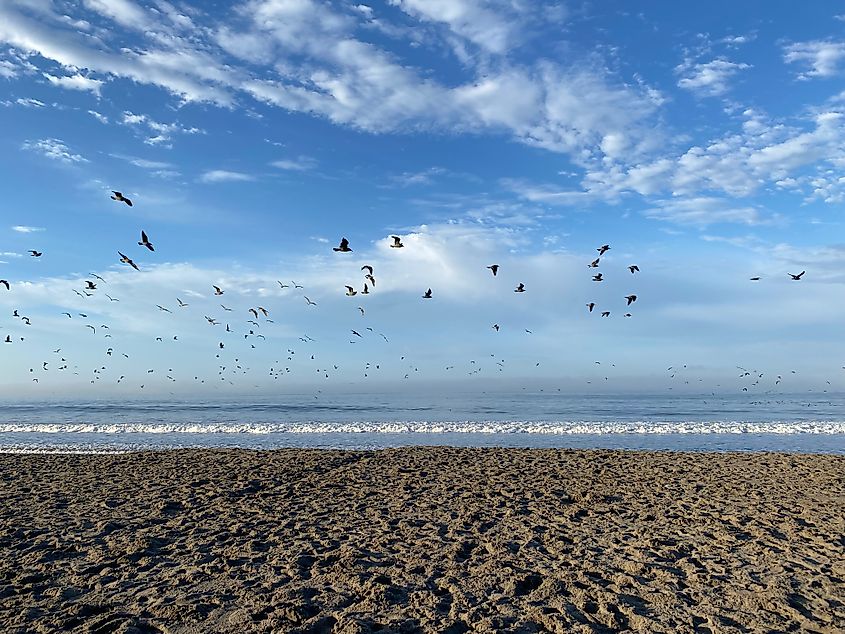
(422, 540)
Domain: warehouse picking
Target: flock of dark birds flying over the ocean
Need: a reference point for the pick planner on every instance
(250, 329)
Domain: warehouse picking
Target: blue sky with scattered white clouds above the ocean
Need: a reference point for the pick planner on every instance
(704, 144)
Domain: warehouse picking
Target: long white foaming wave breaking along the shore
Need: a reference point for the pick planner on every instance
(437, 427)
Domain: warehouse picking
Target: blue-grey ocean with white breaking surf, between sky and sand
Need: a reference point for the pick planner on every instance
(807, 423)
